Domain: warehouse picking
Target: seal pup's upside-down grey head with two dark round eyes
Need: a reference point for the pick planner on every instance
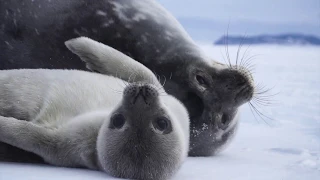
(146, 136)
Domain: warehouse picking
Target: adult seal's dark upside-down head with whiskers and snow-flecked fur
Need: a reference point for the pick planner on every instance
(218, 93)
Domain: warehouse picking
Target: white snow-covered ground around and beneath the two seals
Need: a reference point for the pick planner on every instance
(285, 148)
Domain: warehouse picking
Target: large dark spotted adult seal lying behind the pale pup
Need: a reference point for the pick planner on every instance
(32, 35)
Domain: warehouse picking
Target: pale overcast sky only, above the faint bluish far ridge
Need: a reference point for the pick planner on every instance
(271, 11)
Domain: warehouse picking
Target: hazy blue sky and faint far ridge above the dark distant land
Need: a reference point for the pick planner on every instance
(207, 20)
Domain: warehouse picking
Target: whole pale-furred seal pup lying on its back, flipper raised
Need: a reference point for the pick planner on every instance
(92, 120)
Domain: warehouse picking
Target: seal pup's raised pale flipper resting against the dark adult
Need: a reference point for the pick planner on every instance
(107, 60)
